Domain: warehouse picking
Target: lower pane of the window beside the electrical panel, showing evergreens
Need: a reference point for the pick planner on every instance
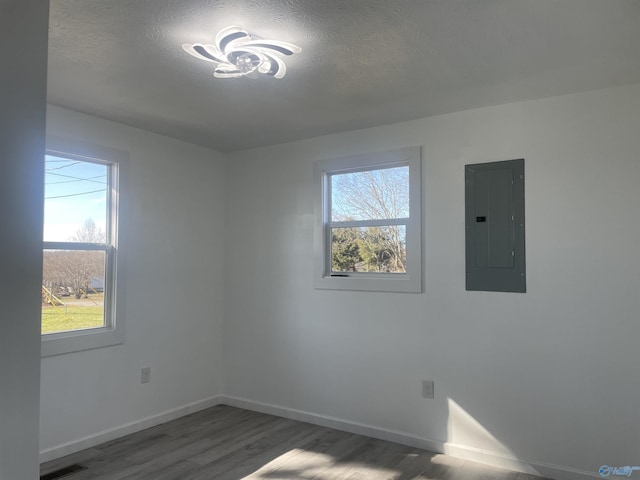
(369, 249)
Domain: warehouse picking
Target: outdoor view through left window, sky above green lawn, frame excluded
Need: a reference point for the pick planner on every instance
(75, 244)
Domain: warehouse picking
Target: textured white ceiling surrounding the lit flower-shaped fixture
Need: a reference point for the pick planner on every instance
(364, 62)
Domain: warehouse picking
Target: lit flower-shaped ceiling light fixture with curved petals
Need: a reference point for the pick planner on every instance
(237, 53)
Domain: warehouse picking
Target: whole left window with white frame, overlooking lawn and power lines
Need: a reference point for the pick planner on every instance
(79, 252)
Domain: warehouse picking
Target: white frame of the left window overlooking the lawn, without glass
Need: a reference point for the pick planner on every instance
(112, 333)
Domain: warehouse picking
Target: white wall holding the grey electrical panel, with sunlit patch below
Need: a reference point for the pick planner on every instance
(546, 377)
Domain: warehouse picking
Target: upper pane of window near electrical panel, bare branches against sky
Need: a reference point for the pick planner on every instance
(370, 195)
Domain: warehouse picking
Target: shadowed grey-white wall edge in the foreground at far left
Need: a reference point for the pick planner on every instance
(23, 50)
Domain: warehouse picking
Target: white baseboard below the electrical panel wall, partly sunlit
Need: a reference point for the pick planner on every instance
(547, 470)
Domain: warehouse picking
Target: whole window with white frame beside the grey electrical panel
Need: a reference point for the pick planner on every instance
(368, 228)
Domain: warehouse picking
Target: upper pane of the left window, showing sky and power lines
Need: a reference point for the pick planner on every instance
(75, 204)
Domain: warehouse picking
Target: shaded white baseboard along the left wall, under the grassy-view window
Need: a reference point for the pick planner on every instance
(111, 434)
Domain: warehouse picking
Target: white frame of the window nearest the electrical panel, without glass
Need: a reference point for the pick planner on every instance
(411, 281)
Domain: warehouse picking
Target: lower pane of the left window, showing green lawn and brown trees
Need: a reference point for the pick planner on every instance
(73, 283)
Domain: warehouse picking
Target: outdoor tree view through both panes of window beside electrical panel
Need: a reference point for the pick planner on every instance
(369, 210)
